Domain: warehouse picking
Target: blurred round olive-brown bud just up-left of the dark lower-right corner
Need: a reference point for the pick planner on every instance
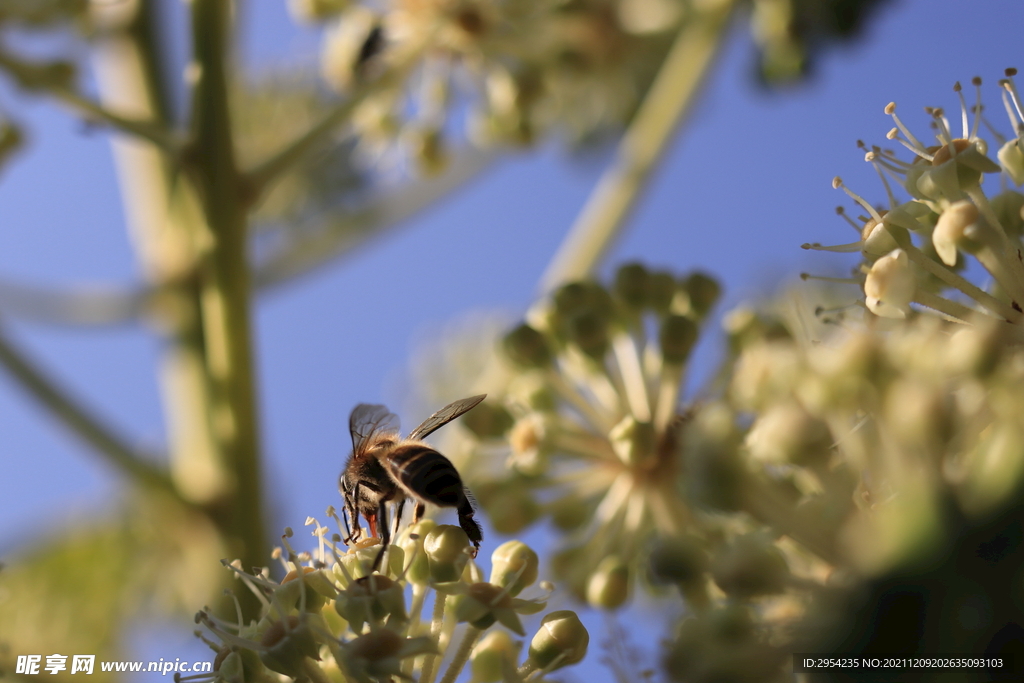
(749, 567)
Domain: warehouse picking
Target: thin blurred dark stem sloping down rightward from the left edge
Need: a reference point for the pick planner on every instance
(105, 441)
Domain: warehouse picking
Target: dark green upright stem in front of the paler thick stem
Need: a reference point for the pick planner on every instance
(226, 282)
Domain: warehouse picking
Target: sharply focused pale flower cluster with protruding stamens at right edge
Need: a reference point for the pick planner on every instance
(915, 254)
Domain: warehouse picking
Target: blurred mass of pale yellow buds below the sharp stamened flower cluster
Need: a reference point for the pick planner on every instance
(876, 435)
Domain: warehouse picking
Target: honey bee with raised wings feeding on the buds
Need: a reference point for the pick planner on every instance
(386, 468)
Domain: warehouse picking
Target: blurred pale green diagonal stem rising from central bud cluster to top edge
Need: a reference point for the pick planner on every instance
(642, 148)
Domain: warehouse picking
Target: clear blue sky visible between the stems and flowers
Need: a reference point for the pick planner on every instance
(745, 184)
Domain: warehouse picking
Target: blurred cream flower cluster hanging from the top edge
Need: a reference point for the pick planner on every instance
(531, 67)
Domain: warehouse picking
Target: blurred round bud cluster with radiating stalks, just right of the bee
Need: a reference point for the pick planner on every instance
(592, 415)
